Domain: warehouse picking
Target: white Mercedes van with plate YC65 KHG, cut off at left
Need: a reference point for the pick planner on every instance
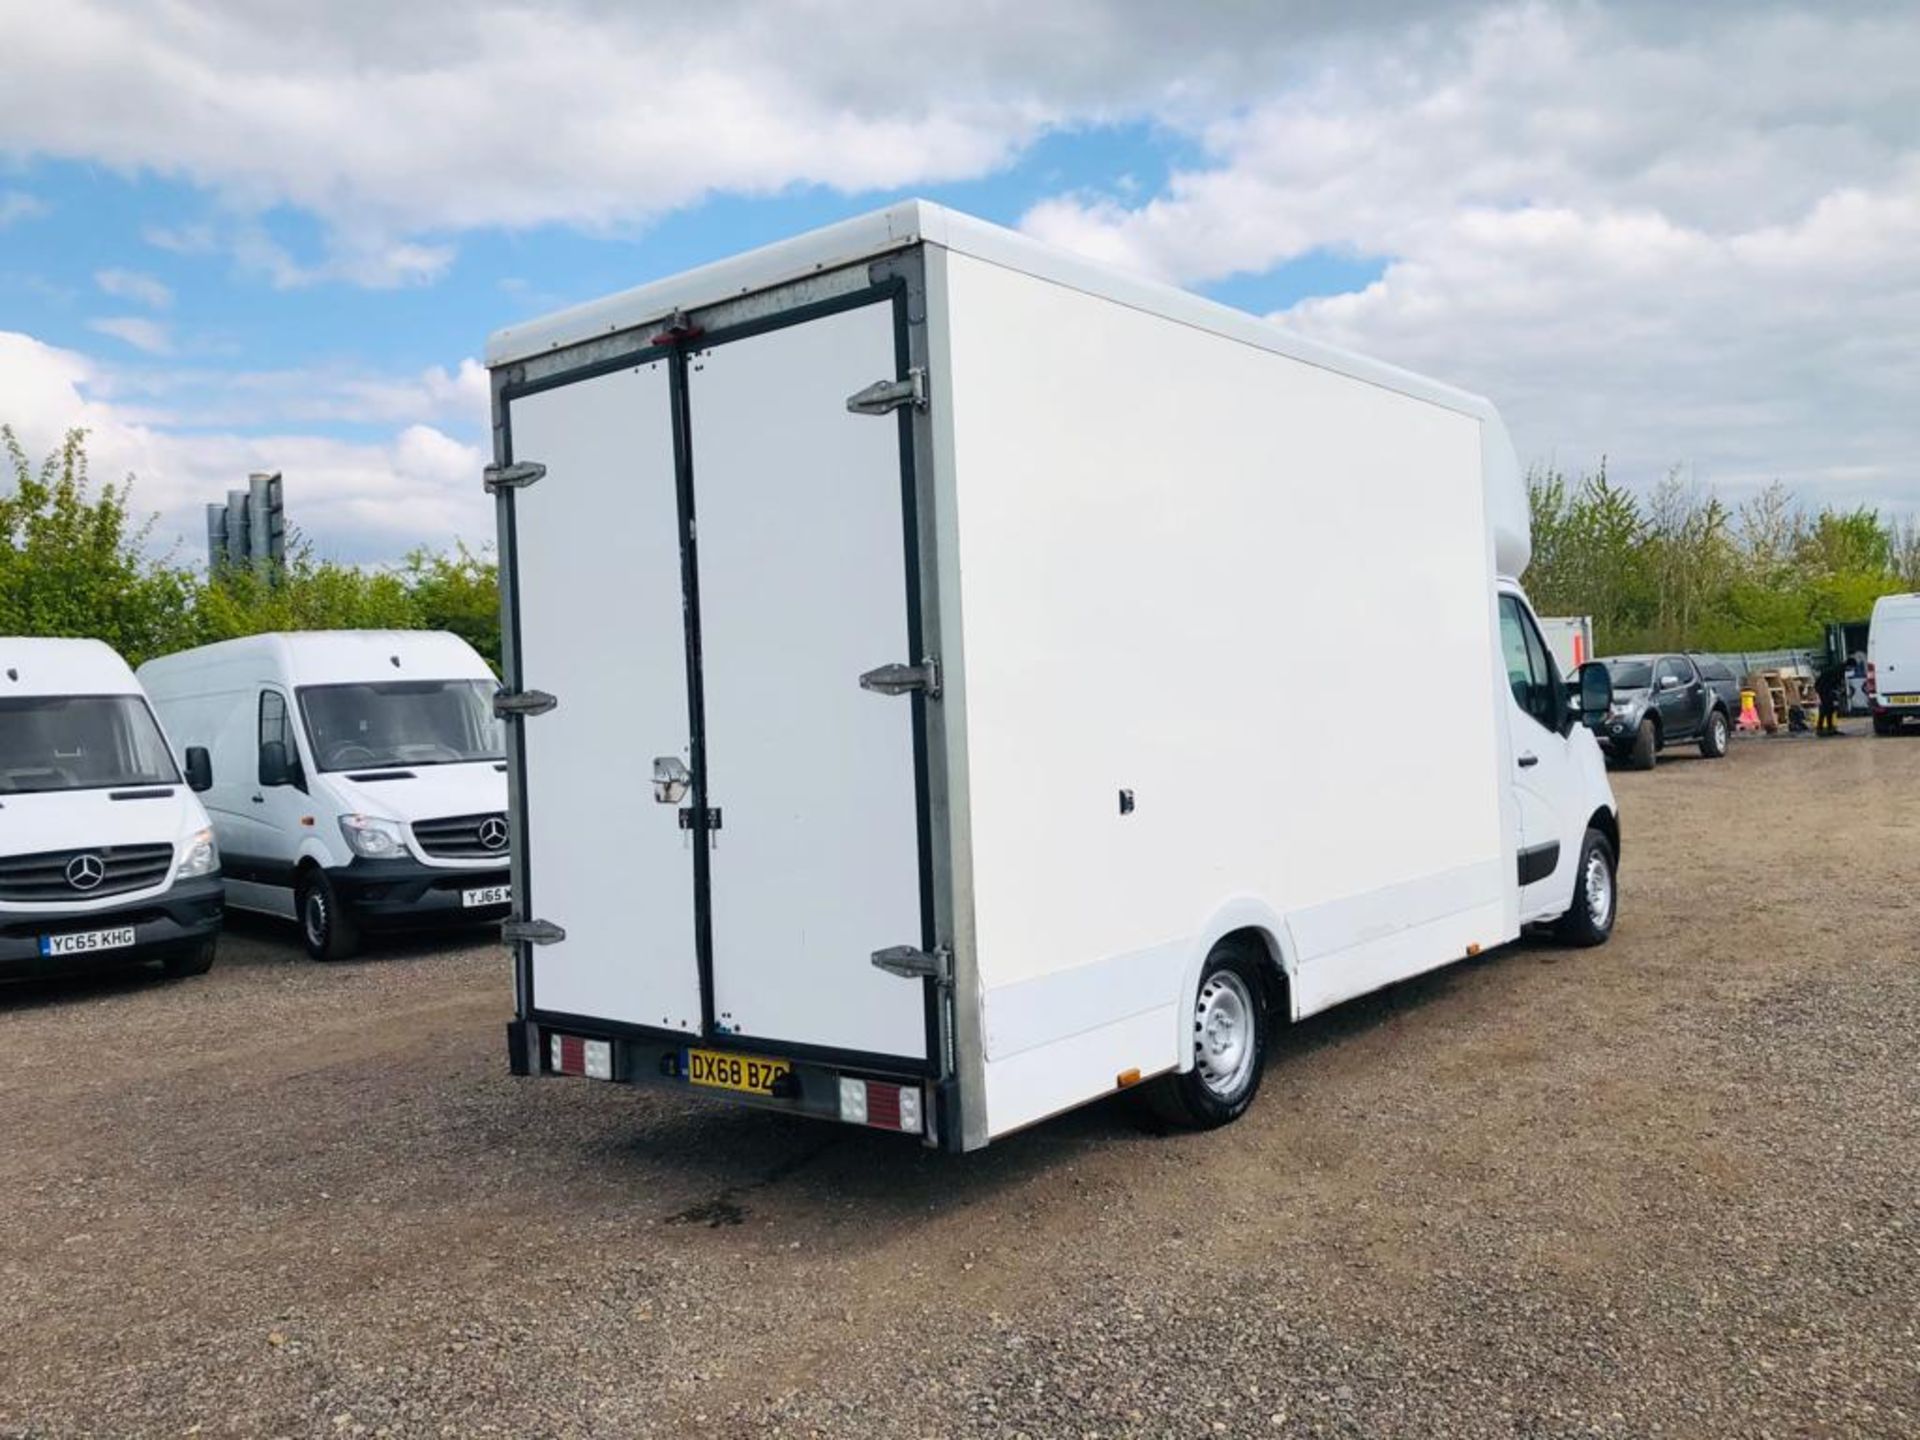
(105, 850)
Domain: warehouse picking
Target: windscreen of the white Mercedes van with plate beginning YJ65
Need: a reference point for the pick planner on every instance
(402, 723)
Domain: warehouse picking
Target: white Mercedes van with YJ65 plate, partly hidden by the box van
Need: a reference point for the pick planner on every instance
(360, 777)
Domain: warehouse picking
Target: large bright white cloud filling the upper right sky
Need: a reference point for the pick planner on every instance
(1683, 243)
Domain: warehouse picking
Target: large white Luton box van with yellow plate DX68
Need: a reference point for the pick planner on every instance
(997, 636)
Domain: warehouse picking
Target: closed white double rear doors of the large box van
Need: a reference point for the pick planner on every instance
(715, 813)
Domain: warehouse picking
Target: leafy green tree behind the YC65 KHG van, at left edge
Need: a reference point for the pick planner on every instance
(74, 562)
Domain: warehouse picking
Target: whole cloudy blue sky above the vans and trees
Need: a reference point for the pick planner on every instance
(274, 237)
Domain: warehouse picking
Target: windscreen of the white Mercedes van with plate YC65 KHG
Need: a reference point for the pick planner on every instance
(82, 742)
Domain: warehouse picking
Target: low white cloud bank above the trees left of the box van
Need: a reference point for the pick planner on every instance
(360, 502)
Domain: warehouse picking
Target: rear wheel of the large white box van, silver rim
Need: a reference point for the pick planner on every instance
(1230, 1036)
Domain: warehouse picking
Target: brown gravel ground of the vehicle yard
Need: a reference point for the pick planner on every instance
(1660, 1189)
